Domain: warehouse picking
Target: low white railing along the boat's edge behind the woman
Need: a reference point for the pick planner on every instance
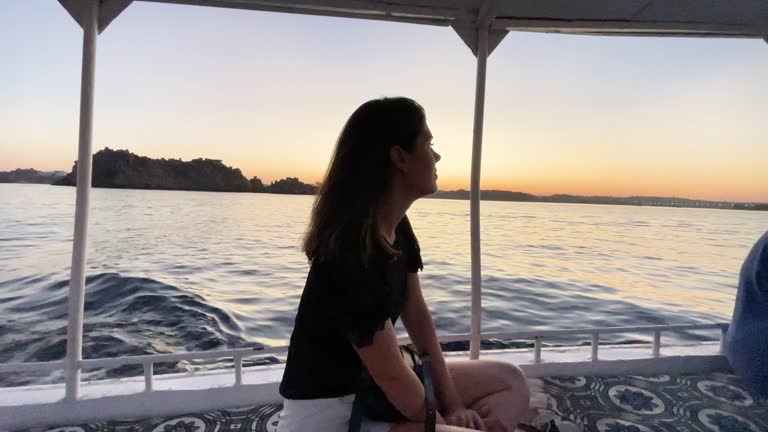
(148, 361)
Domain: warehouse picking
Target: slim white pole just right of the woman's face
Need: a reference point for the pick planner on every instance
(474, 195)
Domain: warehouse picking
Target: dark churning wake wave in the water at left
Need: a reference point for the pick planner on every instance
(124, 316)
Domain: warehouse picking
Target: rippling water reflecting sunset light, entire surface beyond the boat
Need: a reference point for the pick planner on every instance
(196, 270)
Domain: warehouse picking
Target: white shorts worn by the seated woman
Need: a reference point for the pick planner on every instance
(323, 415)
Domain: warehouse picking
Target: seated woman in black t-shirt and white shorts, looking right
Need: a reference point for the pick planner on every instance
(364, 275)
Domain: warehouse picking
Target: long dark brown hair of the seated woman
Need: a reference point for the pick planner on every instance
(343, 223)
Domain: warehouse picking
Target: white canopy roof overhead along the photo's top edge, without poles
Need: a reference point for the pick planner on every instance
(723, 18)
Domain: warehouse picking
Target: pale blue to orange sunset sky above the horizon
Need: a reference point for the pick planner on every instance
(268, 93)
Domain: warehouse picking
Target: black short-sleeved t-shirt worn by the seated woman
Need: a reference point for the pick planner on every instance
(345, 304)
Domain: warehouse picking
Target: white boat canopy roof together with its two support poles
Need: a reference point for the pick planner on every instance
(481, 24)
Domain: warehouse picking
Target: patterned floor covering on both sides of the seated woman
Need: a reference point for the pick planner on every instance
(716, 402)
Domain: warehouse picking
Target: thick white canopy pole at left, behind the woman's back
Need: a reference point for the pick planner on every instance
(84, 158)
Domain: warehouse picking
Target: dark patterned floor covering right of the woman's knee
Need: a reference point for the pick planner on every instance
(664, 403)
